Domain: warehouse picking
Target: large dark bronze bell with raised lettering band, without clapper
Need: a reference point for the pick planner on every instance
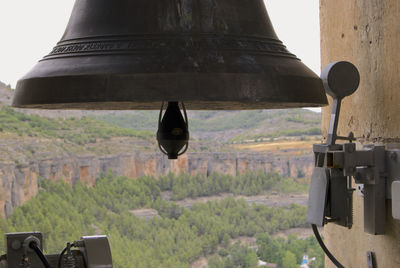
(135, 54)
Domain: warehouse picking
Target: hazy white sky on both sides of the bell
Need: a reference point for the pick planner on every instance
(29, 29)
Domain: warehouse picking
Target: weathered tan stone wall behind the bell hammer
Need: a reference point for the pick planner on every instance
(367, 33)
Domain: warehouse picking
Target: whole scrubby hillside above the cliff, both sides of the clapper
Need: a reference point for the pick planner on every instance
(41, 136)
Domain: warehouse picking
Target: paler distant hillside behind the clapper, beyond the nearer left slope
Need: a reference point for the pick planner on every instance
(228, 125)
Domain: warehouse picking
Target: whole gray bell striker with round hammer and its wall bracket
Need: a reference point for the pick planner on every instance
(376, 168)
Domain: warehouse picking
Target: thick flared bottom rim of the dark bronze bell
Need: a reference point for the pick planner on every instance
(197, 91)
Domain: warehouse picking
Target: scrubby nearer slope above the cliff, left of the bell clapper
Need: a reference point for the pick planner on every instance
(27, 136)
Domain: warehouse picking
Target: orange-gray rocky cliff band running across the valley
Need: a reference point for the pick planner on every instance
(18, 183)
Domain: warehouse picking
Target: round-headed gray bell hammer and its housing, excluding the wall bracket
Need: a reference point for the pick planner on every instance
(330, 194)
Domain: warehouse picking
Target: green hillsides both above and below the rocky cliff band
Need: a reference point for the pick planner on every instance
(176, 236)
